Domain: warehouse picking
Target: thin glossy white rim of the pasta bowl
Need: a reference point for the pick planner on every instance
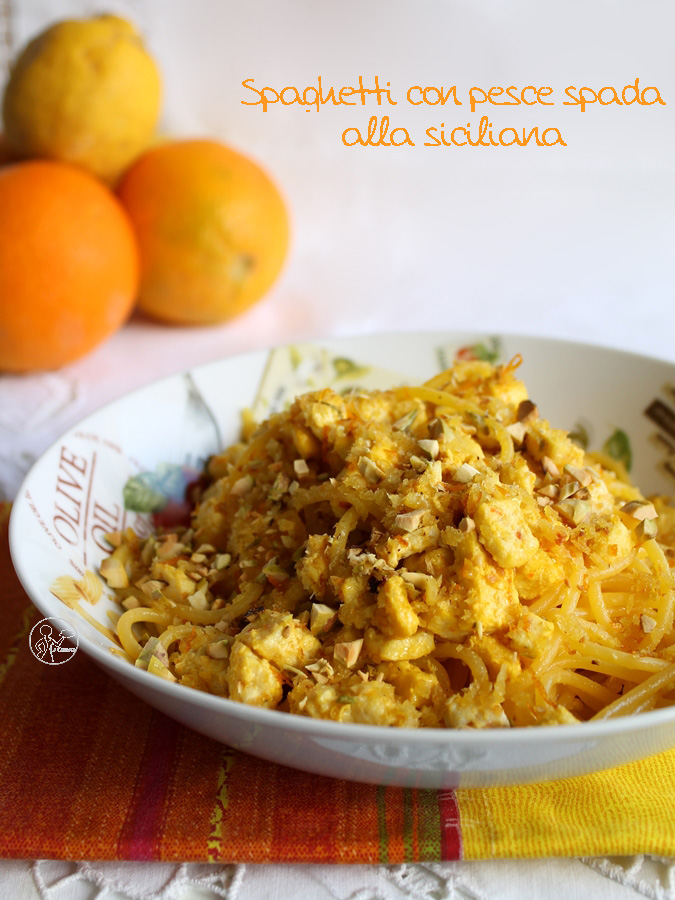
(583, 732)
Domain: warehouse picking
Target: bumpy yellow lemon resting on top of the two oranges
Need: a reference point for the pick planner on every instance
(85, 92)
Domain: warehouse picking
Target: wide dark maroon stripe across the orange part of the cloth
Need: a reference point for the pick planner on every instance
(142, 831)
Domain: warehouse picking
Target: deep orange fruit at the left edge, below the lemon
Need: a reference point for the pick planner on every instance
(68, 265)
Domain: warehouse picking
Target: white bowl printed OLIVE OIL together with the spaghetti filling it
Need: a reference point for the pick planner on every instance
(417, 535)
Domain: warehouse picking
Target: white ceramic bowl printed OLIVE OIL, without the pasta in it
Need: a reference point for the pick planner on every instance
(74, 494)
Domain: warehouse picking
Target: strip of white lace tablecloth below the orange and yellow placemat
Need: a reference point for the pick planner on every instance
(513, 880)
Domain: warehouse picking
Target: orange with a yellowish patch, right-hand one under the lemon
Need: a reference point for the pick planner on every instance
(212, 230)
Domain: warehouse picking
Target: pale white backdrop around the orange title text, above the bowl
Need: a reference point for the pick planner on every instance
(537, 238)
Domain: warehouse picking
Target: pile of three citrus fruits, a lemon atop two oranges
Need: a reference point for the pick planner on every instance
(97, 215)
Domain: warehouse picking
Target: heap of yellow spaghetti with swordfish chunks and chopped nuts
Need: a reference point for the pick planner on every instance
(433, 556)
